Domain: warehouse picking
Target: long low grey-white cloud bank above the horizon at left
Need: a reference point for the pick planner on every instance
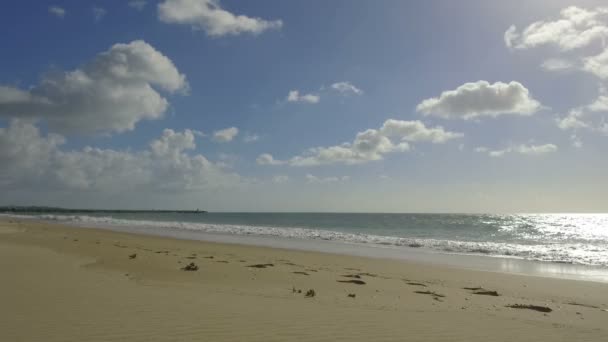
(31, 160)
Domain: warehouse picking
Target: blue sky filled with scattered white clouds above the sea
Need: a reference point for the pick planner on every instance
(328, 106)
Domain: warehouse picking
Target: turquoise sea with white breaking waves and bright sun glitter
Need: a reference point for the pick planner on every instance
(558, 238)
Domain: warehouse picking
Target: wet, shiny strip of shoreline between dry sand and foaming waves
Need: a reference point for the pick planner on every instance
(465, 261)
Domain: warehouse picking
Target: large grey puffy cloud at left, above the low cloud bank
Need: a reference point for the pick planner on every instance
(109, 94)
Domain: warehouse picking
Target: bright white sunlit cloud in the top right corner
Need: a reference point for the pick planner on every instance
(576, 28)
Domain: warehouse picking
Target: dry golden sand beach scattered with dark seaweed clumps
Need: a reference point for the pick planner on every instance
(77, 284)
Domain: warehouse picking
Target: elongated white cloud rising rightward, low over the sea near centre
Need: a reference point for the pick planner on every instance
(369, 145)
